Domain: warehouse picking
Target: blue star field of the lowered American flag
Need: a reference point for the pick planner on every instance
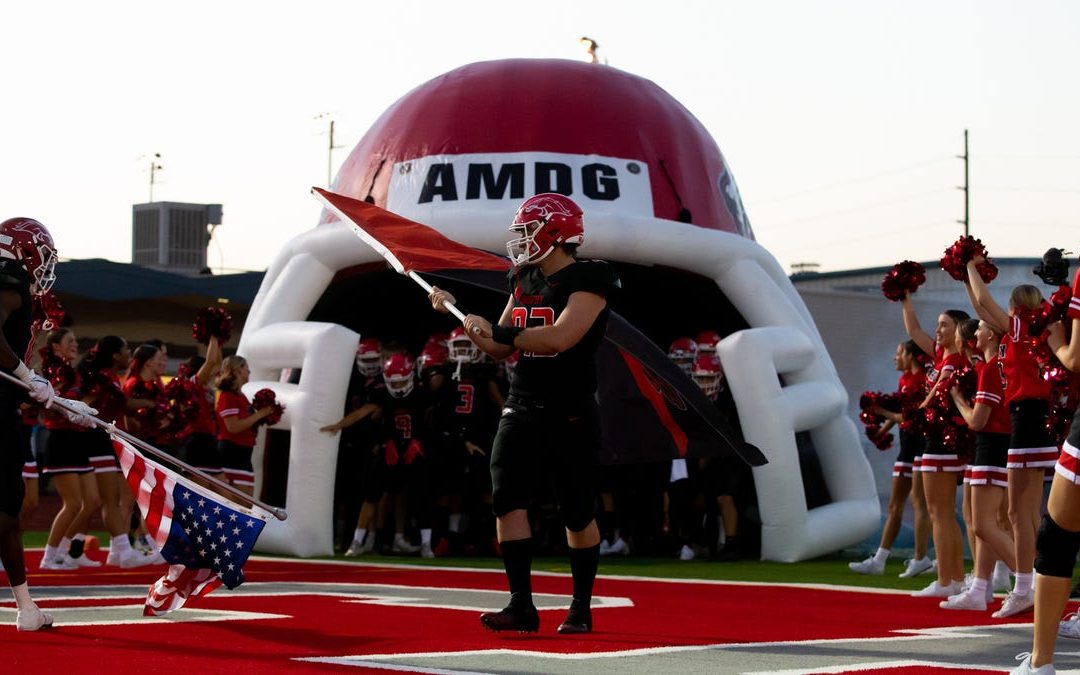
(209, 534)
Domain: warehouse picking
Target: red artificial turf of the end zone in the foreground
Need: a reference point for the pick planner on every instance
(664, 615)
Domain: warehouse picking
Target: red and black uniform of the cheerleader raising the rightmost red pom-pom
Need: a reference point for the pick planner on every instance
(1028, 395)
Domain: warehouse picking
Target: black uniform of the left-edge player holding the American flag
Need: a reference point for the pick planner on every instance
(19, 334)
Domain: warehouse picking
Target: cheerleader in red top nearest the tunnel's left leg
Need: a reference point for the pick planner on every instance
(236, 436)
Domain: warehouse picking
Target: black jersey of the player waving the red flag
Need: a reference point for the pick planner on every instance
(569, 377)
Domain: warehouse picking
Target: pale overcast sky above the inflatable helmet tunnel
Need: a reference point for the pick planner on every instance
(841, 120)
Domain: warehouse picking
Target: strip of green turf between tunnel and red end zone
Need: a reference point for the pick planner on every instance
(831, 570)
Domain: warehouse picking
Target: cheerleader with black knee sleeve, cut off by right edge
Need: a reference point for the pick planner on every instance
(1059, 536)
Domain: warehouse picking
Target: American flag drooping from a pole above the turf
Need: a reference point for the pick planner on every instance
(206, 542)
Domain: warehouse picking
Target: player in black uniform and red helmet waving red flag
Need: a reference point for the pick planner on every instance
(557, 315)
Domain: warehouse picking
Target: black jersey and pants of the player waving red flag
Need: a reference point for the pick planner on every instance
(550, 428)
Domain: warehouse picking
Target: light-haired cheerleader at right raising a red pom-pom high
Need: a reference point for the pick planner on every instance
(1032, 450)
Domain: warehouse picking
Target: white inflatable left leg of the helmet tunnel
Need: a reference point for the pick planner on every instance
(326, 354)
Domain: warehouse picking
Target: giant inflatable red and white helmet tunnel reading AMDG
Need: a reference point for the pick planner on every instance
(460, 154)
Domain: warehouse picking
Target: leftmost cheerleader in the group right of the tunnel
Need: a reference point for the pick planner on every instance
(906, 482)
